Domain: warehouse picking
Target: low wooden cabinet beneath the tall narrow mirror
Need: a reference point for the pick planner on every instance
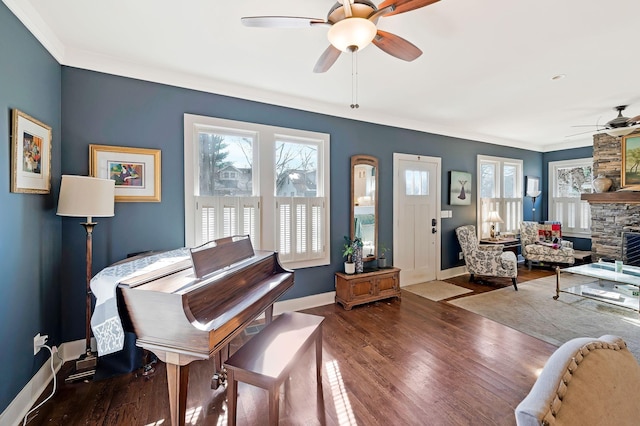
(356, 289)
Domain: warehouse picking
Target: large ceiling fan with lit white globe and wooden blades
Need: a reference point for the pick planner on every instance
(352, 26)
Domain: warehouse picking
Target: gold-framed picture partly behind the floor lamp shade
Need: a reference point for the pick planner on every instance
(135, 170)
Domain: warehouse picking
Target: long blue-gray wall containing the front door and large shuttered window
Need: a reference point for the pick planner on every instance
(106, 109)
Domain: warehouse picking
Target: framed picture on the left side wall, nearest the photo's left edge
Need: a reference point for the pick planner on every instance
(30, 154)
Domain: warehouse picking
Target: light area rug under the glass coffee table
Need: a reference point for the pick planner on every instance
(533, 311)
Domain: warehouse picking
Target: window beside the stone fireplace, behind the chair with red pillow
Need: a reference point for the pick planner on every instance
(567, 180)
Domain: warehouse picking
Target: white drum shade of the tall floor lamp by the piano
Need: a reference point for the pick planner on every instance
(83, 196)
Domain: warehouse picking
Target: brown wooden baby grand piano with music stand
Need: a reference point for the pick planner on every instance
(191, 310)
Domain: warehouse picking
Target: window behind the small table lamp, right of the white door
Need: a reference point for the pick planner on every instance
(500, 189)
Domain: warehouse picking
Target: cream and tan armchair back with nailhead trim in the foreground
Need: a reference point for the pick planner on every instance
(586, 381)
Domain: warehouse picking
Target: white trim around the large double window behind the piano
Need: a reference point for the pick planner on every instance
(265, 136)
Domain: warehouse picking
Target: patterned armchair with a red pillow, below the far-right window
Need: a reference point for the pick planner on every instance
(532, 251)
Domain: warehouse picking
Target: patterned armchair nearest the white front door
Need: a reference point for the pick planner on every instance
(487, 260)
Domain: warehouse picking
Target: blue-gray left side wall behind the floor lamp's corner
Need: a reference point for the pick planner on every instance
(30, 232)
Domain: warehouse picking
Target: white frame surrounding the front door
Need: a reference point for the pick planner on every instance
(397, 157)
